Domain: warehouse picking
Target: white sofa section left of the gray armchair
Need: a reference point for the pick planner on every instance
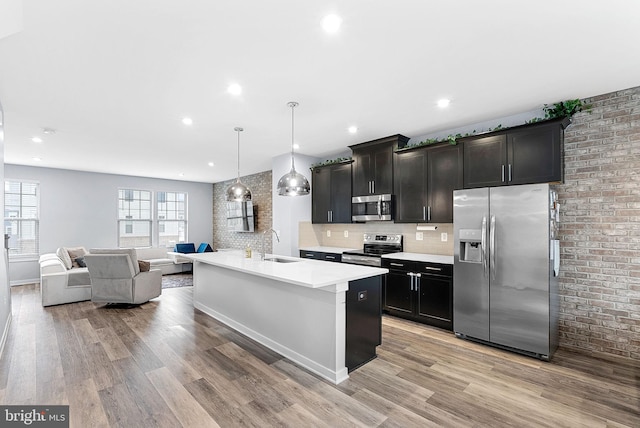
(61, 285)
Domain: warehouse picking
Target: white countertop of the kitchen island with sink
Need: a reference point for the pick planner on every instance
(306, 273)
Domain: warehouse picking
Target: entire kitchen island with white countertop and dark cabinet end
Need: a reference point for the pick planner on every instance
(295, 307)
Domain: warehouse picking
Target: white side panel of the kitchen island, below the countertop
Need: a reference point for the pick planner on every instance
(306, 325)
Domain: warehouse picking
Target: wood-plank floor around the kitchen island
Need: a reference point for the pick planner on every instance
(166, 364)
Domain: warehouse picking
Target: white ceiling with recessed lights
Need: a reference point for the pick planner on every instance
(114, 78)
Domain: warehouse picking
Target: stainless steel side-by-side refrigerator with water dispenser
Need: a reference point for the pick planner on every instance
(506, 261)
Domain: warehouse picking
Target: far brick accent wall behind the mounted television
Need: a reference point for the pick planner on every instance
(260, 186)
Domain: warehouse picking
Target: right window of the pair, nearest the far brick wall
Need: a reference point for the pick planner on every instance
(171, 218)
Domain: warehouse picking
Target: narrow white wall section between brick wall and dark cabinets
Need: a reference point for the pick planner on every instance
(288, 211)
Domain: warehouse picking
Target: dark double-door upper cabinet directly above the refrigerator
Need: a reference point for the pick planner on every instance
(521, 155)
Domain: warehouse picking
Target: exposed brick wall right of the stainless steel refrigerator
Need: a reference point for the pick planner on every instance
(600, 227)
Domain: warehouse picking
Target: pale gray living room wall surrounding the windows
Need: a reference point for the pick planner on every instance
(80, 209)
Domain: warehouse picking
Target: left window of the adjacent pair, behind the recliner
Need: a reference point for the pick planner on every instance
(134, 218)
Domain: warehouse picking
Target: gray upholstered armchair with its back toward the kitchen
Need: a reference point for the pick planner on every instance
(116, 277)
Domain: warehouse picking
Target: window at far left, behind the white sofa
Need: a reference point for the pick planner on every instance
(21, 217)
